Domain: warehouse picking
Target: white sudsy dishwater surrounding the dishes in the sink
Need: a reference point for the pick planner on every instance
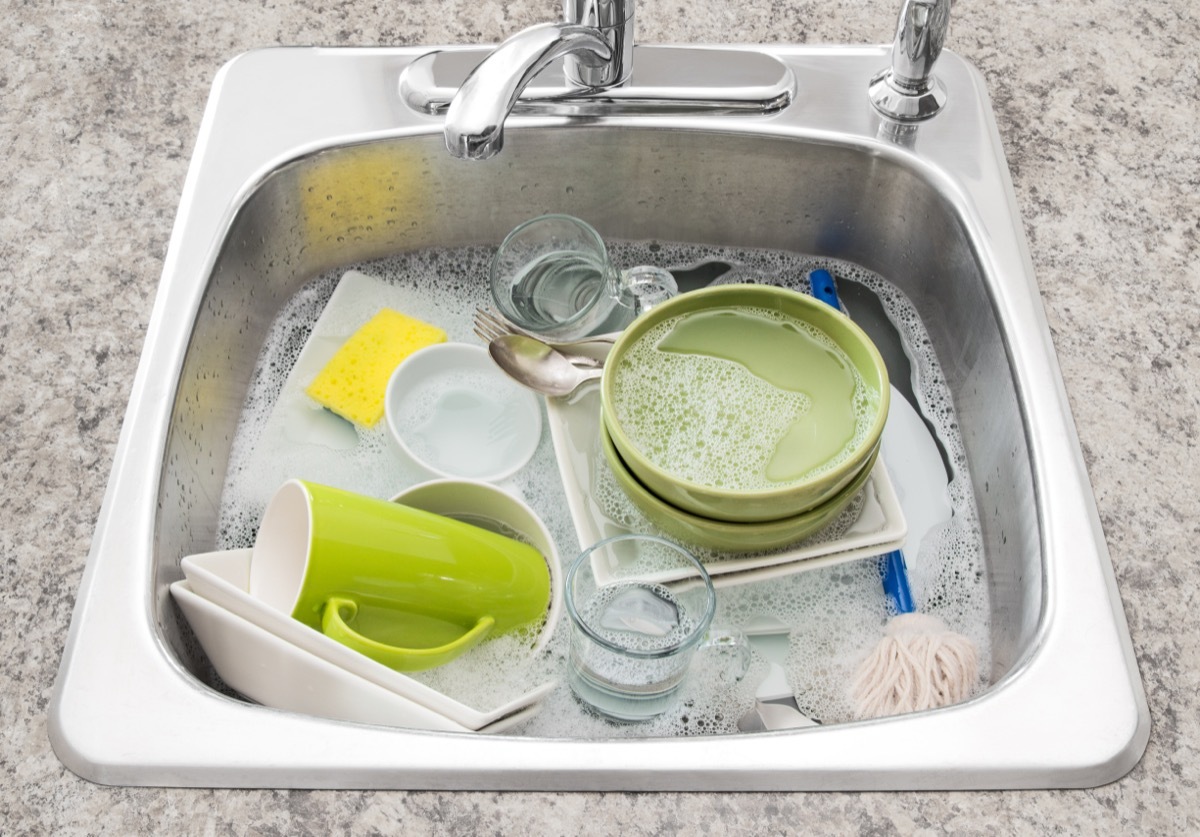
(837, 615)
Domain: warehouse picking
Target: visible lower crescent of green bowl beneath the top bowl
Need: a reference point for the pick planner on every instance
(723, 535)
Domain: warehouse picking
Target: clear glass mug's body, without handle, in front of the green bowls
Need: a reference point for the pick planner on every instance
(639, 607)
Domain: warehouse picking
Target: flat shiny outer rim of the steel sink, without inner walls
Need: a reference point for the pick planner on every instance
(93, 740)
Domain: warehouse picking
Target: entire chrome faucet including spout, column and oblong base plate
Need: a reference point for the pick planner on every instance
(478, 89)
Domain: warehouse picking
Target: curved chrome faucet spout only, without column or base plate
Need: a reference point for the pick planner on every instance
(476, 118)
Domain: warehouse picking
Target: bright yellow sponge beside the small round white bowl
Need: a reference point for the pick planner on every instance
(356, 380)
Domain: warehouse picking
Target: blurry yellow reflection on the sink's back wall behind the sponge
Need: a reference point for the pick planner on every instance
(359, 191)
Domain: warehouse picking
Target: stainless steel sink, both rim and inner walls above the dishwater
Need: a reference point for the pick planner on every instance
(309, 161)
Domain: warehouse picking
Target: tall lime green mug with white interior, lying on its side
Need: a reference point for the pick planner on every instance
(405, 587)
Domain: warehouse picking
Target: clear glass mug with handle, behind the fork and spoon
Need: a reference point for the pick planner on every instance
(553, 276)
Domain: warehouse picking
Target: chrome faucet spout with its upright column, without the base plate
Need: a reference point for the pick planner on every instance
(597, 40)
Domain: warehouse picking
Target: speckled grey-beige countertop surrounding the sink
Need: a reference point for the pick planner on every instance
(1099, 104)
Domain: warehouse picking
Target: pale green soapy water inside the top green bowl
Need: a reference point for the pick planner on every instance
(758, 399)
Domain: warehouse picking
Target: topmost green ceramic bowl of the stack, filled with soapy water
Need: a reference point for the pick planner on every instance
(706, 411)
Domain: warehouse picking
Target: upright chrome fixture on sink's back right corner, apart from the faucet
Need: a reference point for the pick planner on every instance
(908, 91)
